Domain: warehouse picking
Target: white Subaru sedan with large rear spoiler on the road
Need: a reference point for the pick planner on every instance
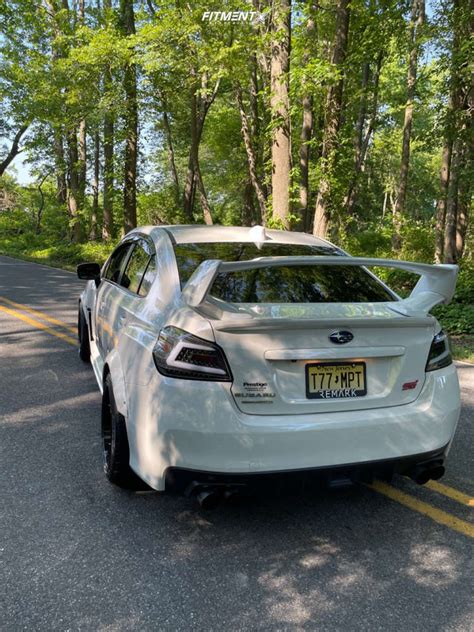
(229, 355)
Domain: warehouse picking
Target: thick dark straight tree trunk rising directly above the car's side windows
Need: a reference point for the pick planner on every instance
(131, 126)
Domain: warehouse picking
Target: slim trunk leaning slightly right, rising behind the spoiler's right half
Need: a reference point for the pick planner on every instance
(416, 23)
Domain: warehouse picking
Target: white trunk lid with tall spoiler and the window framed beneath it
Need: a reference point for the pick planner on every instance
(338, 340)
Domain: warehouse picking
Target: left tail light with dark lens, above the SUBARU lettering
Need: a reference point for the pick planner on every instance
(178, 353)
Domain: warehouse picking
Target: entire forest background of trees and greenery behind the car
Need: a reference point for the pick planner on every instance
(348, 119)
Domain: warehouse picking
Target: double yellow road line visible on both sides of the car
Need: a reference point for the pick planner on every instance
(26, 314)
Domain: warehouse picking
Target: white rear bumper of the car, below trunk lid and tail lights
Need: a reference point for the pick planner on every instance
(196, 426)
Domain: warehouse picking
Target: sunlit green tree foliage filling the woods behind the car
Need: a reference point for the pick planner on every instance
(57, 70)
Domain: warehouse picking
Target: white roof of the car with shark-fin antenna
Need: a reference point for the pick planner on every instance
(200, 233)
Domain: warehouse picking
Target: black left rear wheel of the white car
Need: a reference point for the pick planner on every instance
(115, 450)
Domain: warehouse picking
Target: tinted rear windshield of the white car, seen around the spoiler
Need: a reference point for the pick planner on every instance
(285, 284)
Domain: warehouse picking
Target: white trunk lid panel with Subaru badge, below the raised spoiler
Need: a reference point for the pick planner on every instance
(271, 352)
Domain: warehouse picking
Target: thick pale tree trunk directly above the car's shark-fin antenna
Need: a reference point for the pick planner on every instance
(280, 106)
